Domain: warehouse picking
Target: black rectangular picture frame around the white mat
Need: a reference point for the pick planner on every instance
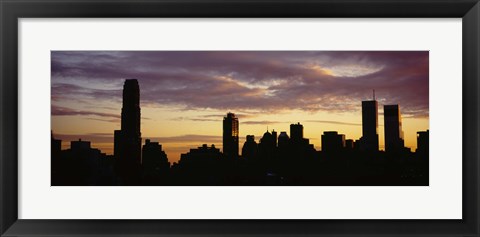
(11, 11)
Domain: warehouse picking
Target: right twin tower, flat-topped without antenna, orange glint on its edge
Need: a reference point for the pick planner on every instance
(393, 128)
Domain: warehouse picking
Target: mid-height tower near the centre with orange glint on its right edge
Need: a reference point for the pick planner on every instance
(230, 136)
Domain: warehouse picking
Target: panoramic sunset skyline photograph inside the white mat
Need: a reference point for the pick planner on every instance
(239, 118)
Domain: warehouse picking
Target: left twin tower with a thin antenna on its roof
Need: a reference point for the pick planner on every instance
(369, 140)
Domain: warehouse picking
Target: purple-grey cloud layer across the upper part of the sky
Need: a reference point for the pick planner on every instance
(259, 81)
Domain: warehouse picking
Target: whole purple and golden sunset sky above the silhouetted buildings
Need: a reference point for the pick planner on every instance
(185, 94)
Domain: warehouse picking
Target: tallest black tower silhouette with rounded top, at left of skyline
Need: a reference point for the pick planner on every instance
(128, 141)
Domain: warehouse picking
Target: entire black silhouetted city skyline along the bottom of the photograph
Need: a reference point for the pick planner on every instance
(276, 159)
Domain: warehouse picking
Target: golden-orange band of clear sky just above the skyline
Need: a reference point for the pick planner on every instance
(178, 137)
